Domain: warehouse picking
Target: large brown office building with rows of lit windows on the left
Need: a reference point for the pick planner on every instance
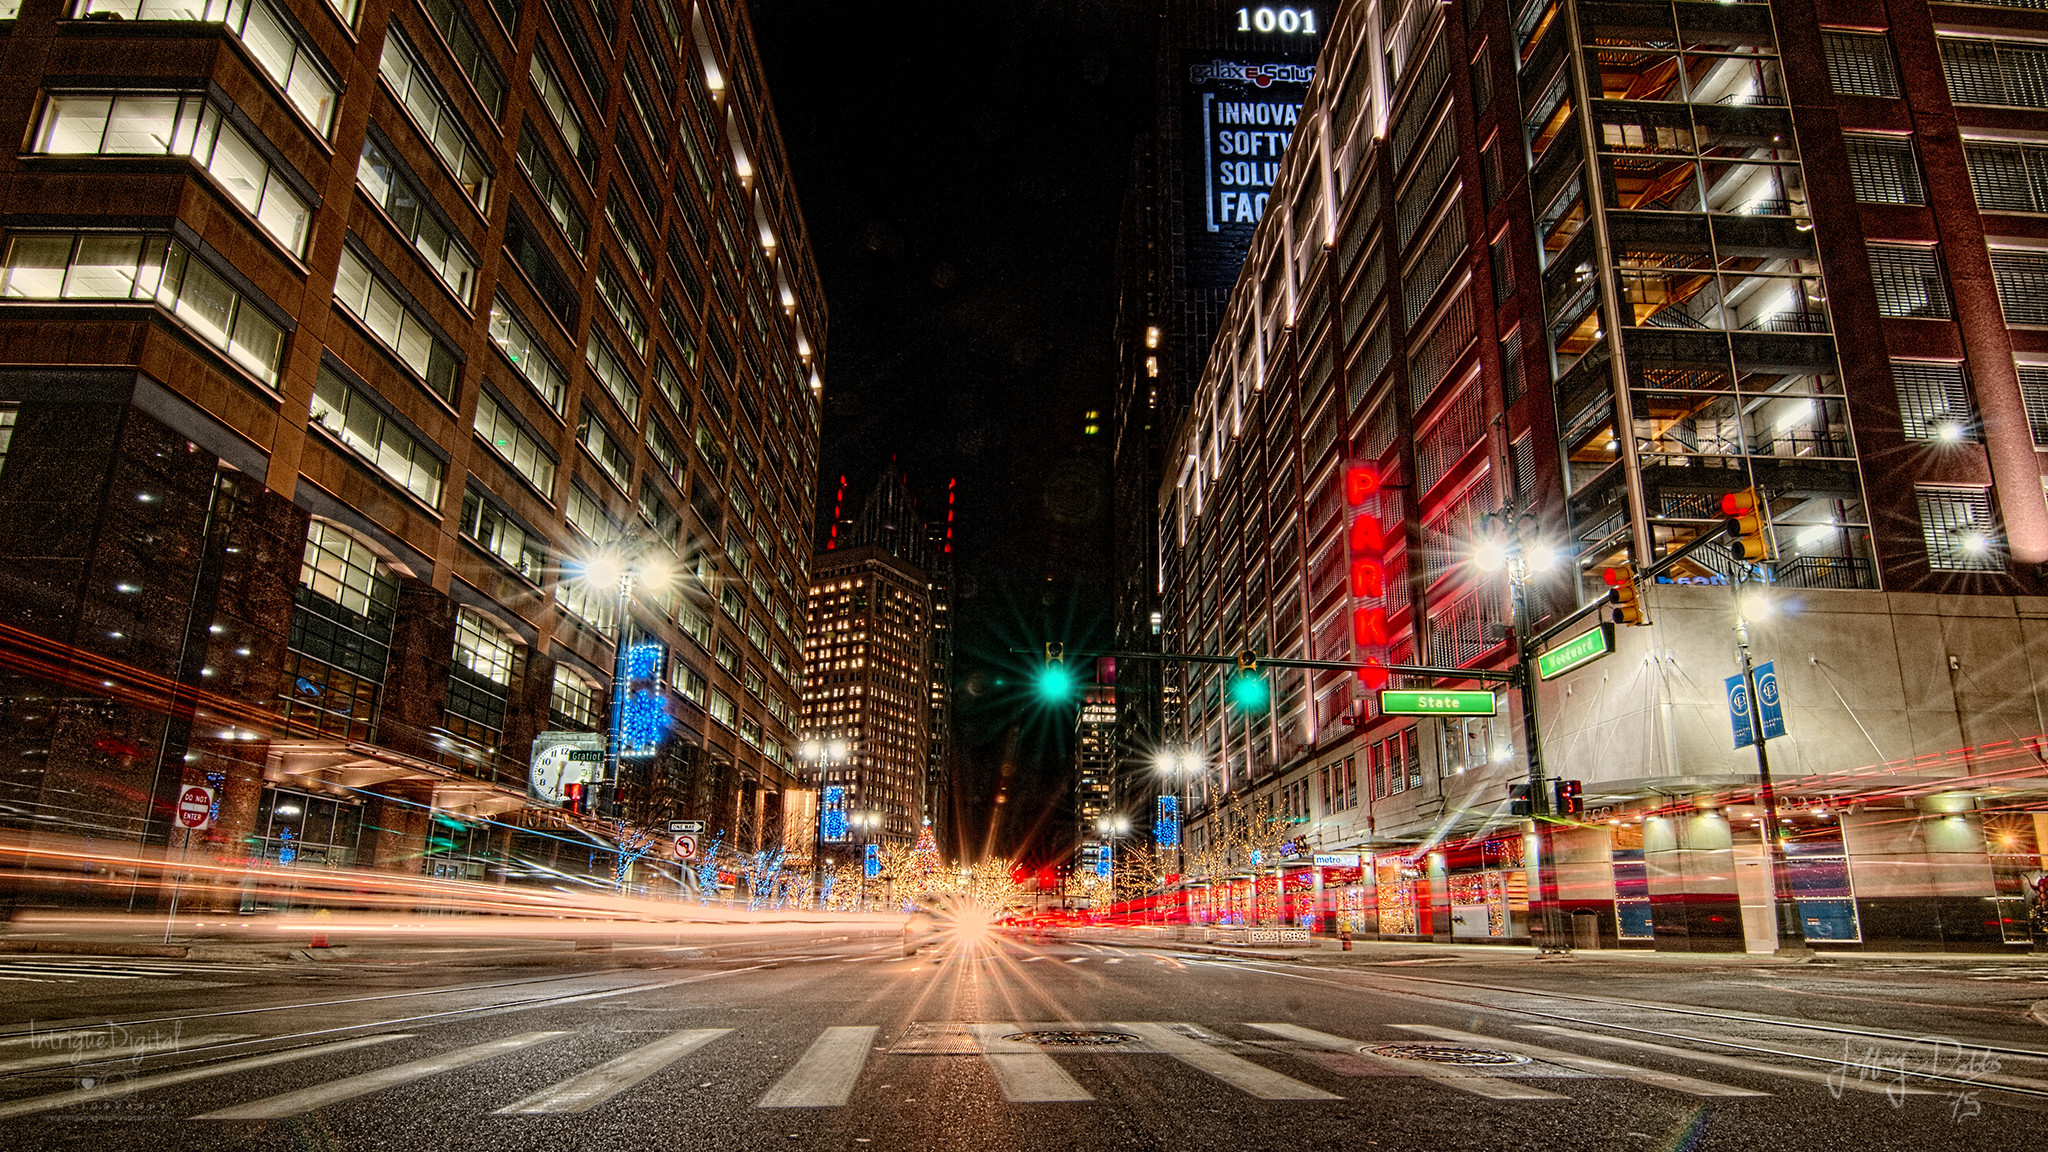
(335, 341)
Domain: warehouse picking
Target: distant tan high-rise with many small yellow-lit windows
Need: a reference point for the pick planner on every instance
(867, 684)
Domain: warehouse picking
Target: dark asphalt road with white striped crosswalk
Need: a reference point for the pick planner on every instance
(1021, 1046)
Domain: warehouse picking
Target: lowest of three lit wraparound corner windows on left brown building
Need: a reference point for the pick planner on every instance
(110, 265)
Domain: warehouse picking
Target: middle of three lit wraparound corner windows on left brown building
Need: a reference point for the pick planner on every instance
(151, 124)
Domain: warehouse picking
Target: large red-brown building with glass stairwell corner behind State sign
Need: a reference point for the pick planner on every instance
(1578, 272)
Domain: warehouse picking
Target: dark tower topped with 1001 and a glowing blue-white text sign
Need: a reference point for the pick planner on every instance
(1226, 93)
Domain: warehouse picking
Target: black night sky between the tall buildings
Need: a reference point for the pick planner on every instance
(962, 171)
